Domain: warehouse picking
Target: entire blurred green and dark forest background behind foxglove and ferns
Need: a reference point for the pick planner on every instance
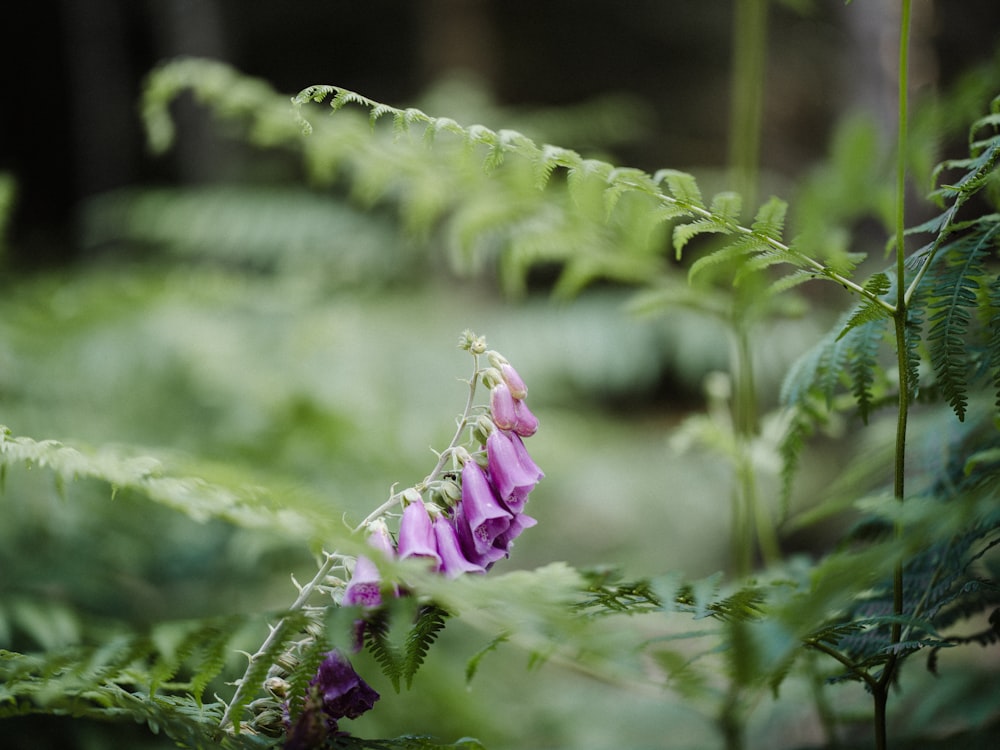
(244, 318)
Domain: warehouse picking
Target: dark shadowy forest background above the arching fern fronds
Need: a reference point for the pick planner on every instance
(72, 72)
